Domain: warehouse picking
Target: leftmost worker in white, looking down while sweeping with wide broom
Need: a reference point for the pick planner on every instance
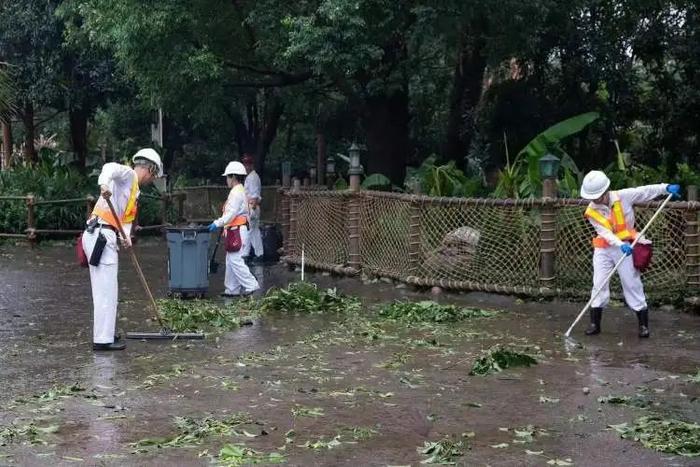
(120, 183)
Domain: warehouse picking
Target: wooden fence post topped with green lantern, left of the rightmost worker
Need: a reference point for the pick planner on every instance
(549, 169)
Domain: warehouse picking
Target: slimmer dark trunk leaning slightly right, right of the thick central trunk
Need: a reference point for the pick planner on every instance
(467, 84)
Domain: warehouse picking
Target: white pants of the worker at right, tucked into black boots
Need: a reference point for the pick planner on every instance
(604, 260)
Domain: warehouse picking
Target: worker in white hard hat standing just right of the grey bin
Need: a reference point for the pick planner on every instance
(239, 281)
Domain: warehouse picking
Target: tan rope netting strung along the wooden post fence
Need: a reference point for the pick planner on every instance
(476, 244)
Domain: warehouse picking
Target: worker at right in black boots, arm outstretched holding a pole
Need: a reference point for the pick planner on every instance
(612, 215)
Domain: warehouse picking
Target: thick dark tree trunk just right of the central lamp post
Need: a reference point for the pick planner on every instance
(386, 120)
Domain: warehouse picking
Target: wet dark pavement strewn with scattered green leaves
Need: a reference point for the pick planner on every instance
(407, 385)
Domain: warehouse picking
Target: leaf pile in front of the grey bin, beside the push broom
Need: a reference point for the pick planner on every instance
(194, 315)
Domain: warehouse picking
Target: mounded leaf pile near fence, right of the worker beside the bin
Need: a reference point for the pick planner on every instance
(305, 297)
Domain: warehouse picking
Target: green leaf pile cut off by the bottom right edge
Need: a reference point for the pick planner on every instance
(664, 435)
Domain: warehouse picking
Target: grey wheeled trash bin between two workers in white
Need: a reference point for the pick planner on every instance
(188, 261)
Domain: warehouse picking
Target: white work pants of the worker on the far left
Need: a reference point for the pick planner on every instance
(103, 279)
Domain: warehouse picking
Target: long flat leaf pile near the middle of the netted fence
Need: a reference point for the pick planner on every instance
(428, 311)
